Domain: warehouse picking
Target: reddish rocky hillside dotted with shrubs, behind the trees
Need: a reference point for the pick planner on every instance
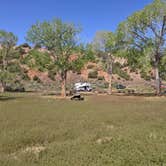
(92, 72)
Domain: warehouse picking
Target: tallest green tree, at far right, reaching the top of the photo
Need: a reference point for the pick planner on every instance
(145, 32)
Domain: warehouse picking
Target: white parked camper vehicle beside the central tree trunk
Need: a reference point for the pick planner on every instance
(82, 86)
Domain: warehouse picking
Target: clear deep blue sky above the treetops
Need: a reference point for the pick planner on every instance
(93, 15)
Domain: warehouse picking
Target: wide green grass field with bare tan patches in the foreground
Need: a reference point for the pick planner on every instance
(100, 131)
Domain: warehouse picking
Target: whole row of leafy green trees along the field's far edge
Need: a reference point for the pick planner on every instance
(140, 39)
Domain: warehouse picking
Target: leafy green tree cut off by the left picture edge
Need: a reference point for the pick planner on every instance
(7, 42)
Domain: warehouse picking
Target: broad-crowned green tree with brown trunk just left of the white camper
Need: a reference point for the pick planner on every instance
(61, 39)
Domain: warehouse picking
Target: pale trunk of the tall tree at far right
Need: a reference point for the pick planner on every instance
(157, 79)
